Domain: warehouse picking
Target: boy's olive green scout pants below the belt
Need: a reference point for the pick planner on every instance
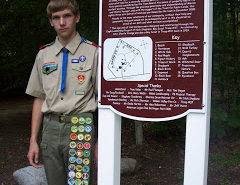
(55, 145)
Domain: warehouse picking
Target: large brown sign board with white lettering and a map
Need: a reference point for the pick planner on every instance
(152, 56)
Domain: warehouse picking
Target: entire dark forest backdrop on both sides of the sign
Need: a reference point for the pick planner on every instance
(24, 27)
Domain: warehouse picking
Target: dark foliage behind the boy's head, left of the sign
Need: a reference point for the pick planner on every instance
(24, 28)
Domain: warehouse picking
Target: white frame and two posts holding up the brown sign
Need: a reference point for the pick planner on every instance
(197, 124)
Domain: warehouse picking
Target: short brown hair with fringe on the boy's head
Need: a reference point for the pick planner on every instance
(59, 5)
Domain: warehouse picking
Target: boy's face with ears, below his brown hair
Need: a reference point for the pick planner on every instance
(64, 22)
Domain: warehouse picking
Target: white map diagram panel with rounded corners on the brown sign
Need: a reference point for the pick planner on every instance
(127, 62)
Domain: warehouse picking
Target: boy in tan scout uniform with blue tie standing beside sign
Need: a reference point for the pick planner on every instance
(64, 84)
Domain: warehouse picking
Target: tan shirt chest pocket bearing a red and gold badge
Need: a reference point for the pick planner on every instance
(81, 77)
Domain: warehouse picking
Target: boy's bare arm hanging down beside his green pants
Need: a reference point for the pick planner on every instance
(33, 152)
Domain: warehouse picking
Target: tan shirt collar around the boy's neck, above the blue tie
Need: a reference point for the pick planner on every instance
(71, 46)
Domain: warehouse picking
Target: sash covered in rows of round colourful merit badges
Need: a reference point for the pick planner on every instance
(81, 148)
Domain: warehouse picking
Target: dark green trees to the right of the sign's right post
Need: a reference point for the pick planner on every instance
(225, 117)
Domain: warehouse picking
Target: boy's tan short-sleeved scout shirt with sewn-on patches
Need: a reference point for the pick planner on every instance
(80, 93)
